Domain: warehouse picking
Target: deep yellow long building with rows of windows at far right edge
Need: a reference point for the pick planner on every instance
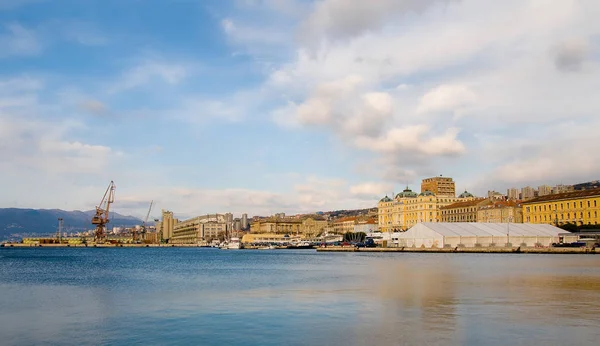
(577, 207)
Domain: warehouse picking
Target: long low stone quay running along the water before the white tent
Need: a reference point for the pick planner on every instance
(550, 250)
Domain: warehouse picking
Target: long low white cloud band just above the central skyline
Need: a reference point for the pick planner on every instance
(307, 195)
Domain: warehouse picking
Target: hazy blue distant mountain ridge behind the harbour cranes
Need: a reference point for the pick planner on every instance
(45, 221)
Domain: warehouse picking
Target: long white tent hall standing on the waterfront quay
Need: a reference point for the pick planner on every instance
(472, 234)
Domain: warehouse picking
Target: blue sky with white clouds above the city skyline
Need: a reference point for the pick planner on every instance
(295, 106)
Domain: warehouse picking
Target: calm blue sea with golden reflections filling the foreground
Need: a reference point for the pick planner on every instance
(200, 296)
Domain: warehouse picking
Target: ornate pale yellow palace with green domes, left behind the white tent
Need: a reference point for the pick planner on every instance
(409, 208)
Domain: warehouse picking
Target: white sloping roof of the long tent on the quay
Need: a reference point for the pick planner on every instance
(465, 229)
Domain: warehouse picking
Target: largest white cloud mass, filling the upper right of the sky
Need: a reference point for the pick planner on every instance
(456, 57)
